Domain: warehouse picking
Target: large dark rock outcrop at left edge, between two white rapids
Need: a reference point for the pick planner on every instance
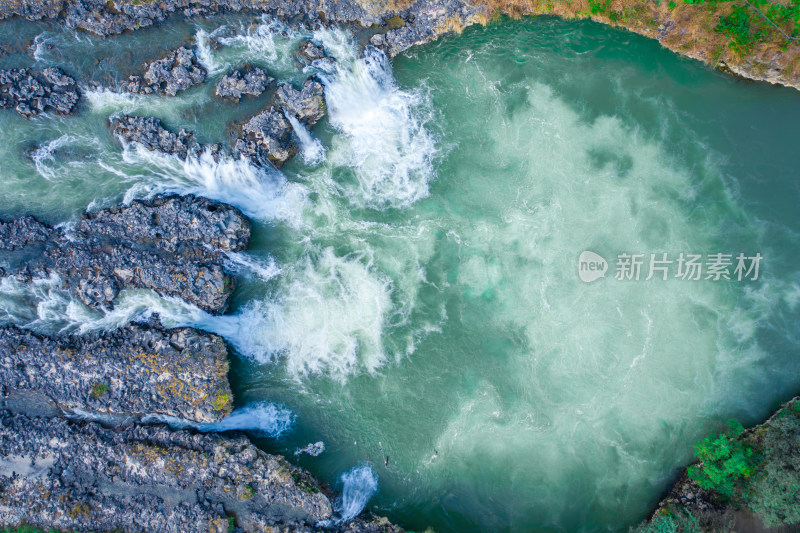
(172, 245)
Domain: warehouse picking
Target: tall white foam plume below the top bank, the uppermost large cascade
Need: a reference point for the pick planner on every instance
(383, 134)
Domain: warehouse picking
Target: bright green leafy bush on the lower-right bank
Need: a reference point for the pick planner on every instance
(725, 459)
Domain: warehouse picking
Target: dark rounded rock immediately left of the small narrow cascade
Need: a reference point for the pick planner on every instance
(267, 138)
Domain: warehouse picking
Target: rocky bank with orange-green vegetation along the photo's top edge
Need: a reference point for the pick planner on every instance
(757, 42)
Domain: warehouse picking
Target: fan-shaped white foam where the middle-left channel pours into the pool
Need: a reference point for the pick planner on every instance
(328, 318)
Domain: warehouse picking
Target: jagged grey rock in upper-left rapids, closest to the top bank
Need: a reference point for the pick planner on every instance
(176, 72)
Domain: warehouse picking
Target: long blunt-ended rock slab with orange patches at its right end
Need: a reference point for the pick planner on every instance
(130, 371)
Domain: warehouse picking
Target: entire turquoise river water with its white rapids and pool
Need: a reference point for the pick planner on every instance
(411, 297)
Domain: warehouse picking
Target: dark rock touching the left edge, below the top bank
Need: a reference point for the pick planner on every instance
(31, 92)
